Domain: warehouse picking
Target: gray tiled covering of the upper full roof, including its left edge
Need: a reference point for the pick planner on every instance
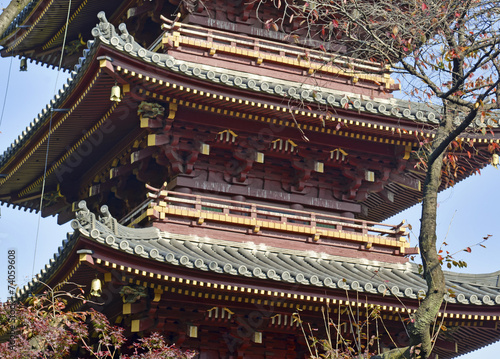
(121, 40)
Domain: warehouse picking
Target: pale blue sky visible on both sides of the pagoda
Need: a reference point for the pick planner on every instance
(467, 212)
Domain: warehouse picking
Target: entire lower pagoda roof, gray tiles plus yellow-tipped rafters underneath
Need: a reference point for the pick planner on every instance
(309, 276)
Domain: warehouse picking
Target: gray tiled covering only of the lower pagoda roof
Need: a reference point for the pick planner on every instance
(249, 260)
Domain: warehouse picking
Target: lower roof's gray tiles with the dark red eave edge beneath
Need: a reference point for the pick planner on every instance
(149, 250)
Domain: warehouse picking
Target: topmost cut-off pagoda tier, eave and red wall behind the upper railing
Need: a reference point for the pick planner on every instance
(40, 29)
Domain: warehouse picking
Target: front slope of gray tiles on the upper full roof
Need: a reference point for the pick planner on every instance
(124, 42)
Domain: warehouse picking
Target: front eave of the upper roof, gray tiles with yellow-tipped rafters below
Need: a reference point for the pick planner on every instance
(396, 118)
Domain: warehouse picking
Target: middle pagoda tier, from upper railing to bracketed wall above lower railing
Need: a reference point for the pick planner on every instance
(227, 115)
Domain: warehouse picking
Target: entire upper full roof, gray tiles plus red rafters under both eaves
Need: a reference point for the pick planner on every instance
(377, 119)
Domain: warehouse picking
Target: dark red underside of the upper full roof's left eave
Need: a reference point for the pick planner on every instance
(75, 114)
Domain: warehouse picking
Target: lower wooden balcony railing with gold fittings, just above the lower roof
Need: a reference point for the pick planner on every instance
(264, 218)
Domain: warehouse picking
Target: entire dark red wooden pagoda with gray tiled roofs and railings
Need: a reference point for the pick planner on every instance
(232, 180)
